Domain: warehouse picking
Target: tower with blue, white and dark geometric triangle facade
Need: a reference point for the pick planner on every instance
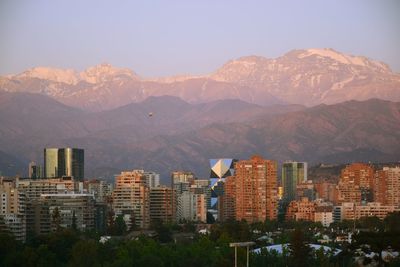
(220, 168)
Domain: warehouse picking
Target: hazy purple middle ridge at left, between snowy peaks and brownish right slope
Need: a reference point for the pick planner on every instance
(31, 122)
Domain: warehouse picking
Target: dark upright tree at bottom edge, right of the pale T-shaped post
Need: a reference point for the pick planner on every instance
(299, 249)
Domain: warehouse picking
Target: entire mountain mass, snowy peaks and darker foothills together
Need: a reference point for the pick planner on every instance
(315, 105)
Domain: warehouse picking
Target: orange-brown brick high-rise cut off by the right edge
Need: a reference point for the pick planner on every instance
(386, 186)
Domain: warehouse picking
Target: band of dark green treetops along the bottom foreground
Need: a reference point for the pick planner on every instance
(72, 248)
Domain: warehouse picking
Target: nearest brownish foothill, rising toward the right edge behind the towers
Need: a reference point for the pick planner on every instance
(346, 132)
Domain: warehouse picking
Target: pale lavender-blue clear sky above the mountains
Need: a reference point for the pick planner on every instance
(162, 38)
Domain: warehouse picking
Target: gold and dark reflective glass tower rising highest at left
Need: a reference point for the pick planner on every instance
(59, 162)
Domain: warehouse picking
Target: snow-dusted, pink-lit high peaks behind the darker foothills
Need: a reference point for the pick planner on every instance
(306, 77)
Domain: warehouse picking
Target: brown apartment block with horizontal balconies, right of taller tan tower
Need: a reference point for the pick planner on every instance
(161, 205)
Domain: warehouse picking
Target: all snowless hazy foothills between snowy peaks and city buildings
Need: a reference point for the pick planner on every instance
(180, 135)
